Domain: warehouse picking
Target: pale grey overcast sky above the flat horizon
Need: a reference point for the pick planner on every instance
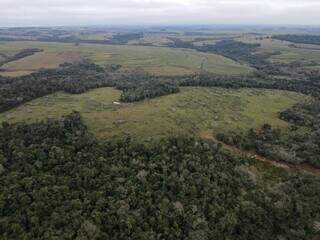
(130, 12)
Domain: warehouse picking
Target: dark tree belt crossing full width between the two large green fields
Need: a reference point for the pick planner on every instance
(135, 86)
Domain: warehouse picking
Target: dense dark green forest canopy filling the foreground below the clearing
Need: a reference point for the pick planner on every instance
(58, 182)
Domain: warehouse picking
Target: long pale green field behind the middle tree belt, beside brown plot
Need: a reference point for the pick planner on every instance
(152, 59)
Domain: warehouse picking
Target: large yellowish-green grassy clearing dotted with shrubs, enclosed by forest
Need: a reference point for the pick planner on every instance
(196, 111)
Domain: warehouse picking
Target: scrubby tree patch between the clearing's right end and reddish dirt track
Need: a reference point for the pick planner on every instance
(299, 144)
